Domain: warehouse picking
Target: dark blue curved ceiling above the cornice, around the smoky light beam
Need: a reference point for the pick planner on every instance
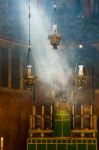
(78, 20)
